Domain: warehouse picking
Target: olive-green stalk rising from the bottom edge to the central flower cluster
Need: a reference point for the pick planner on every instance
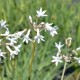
(31, 60)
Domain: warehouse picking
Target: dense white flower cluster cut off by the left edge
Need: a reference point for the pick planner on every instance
(9, 40)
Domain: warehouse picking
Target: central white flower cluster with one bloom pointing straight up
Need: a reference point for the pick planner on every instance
(38, 27)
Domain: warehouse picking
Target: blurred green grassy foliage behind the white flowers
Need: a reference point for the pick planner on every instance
(63, 13)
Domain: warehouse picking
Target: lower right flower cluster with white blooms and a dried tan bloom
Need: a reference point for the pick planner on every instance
(67, 56)
